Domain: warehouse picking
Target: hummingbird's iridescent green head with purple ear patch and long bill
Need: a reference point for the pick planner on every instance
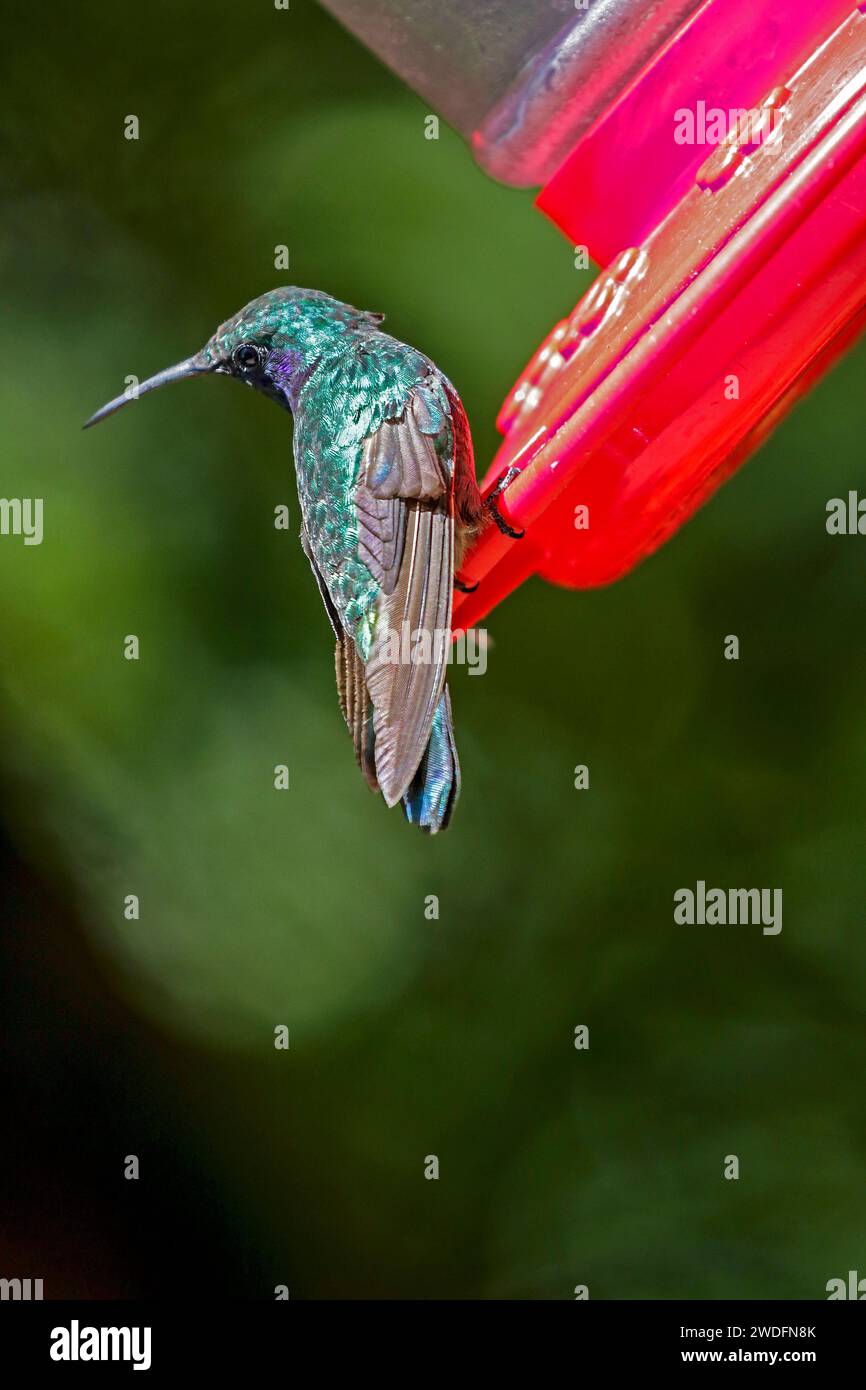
(273, 345)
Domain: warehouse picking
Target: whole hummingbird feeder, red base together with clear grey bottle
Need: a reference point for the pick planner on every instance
(736, 261)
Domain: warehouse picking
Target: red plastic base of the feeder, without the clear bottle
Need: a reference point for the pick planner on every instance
(743, 277)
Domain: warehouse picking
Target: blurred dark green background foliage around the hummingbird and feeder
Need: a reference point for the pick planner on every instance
(307, 908)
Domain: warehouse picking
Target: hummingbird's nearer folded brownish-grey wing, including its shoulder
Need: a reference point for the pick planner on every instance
(405, 519)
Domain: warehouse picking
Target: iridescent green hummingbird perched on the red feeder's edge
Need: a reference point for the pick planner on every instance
(389, 502)
